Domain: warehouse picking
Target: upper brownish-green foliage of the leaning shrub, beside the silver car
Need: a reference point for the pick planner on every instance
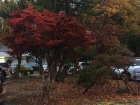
(117, 56)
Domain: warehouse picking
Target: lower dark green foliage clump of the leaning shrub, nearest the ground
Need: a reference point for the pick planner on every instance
(92, 75)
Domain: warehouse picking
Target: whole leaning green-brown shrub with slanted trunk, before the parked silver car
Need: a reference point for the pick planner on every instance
(118, 56)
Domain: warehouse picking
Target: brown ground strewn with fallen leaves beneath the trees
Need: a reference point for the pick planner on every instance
(28, 91)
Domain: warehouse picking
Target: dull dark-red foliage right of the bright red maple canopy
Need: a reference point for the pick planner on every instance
(106, 37)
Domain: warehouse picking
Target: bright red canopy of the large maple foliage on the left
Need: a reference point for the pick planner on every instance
(46, 30)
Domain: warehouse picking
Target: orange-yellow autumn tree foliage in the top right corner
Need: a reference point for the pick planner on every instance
(121, 13)
